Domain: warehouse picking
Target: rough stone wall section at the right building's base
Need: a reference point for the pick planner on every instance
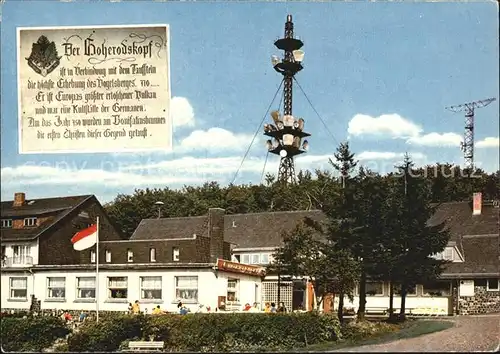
(483, 301)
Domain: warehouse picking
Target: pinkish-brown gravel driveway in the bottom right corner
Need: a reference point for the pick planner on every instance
(470, 334)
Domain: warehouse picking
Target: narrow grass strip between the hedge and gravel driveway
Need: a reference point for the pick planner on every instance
(409, 329)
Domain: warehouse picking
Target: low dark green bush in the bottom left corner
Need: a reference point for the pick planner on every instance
(32, 333)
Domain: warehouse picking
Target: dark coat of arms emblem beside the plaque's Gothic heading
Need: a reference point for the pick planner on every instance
(43, 58)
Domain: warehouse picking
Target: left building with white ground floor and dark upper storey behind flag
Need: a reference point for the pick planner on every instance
(41, 270)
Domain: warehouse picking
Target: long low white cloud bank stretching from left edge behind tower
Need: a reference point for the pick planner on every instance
(116, 174)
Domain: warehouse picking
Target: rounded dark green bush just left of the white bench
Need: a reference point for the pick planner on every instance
(107, 334)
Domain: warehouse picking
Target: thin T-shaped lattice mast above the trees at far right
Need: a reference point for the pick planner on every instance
(467, 146)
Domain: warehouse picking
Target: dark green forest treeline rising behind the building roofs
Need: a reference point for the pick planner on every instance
(446, 182)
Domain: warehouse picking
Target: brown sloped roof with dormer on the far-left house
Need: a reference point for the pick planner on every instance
(59, 207)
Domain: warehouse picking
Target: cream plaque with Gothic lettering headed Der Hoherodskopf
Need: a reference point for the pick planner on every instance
(94, 89)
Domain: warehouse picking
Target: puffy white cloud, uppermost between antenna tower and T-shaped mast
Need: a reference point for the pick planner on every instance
(391, 125)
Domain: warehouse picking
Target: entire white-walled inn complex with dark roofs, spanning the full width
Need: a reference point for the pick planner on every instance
(178, 259)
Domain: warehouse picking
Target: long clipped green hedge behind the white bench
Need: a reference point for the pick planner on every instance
(209, 332)
